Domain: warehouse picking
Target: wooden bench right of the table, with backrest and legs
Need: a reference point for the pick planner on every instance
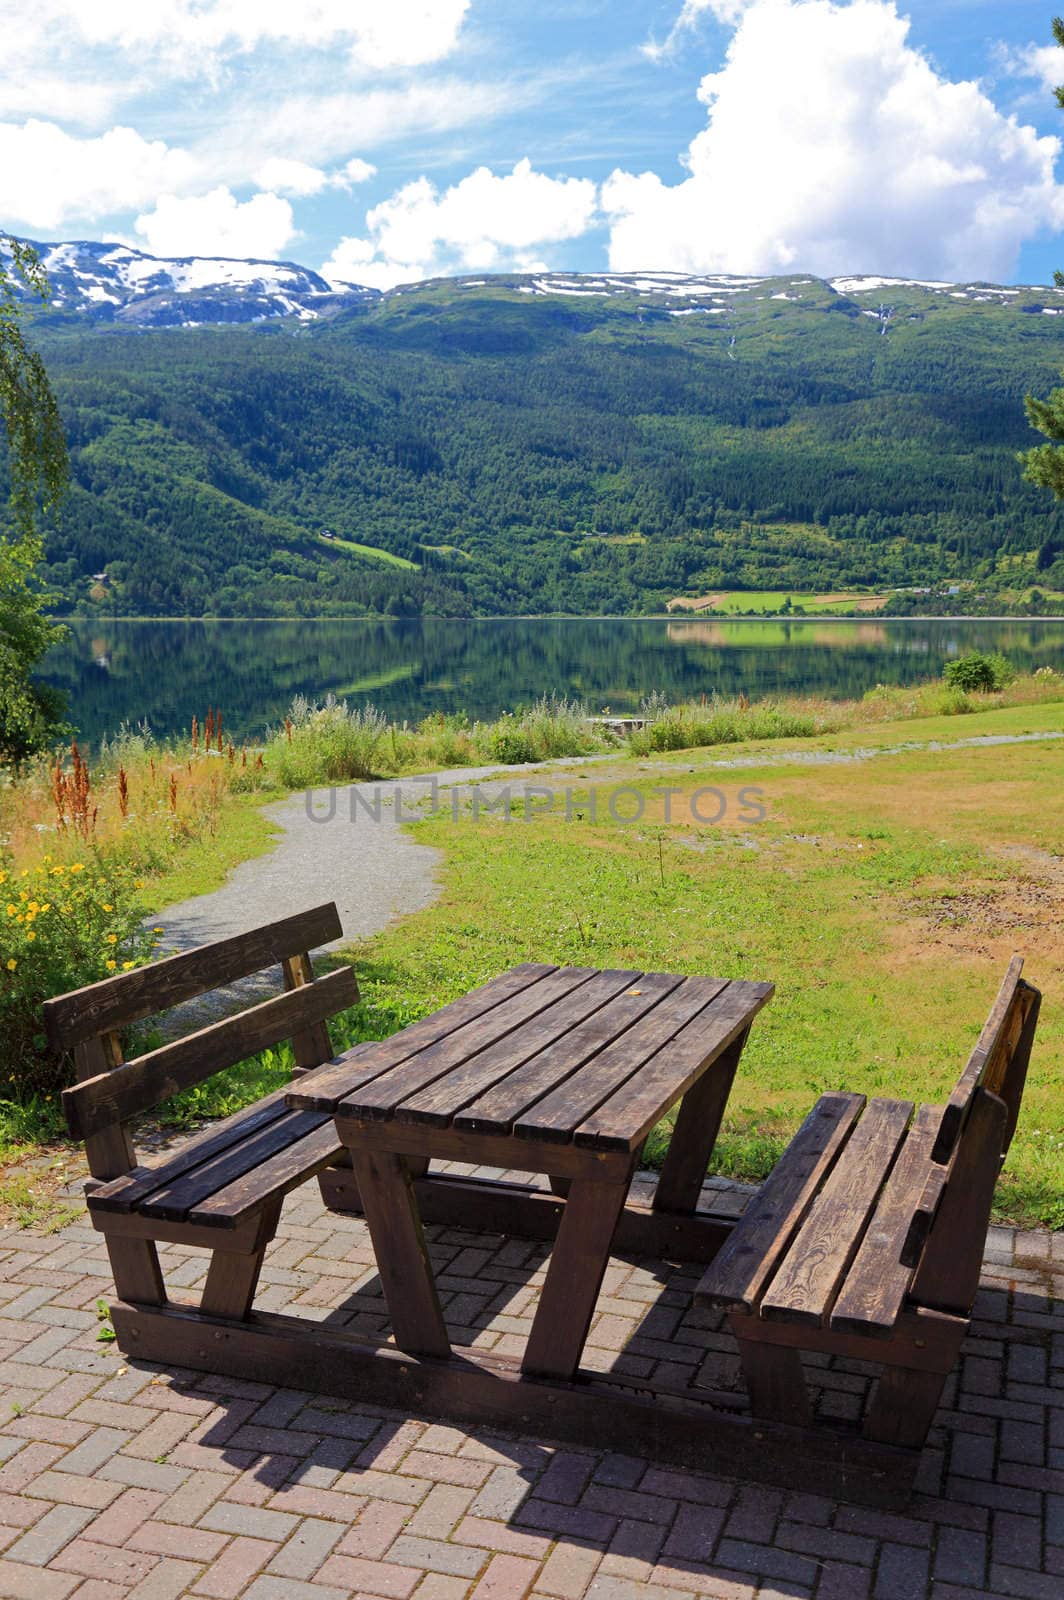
(868, 1238)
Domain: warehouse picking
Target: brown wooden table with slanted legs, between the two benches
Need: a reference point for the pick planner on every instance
(546, 1070)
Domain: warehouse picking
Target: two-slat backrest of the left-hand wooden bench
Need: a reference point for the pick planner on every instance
(89, 1022)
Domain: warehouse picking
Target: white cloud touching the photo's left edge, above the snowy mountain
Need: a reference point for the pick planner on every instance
(49, 178)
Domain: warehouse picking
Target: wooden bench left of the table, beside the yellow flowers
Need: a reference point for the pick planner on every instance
(222, 1190)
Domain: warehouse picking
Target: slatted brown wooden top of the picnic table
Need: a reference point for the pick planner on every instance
(562, 1055)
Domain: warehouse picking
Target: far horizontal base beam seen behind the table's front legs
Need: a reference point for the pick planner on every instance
(494, 1207)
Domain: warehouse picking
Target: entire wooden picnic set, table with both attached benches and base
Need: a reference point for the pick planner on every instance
(863, 1246)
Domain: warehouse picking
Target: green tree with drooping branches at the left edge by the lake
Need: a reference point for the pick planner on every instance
(38, 470)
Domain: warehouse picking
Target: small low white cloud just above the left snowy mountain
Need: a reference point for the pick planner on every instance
(218, 225)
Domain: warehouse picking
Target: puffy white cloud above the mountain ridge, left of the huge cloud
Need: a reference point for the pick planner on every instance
(481, 225)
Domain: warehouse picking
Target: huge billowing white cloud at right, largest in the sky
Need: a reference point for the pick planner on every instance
(834, 146)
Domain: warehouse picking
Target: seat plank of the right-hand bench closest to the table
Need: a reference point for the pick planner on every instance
(748, 1262)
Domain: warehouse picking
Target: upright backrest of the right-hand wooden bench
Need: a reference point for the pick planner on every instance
(975, 1132)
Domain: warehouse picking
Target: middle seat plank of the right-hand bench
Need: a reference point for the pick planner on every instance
(807, 1281)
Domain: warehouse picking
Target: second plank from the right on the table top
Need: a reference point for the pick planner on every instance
(564, 1110)
